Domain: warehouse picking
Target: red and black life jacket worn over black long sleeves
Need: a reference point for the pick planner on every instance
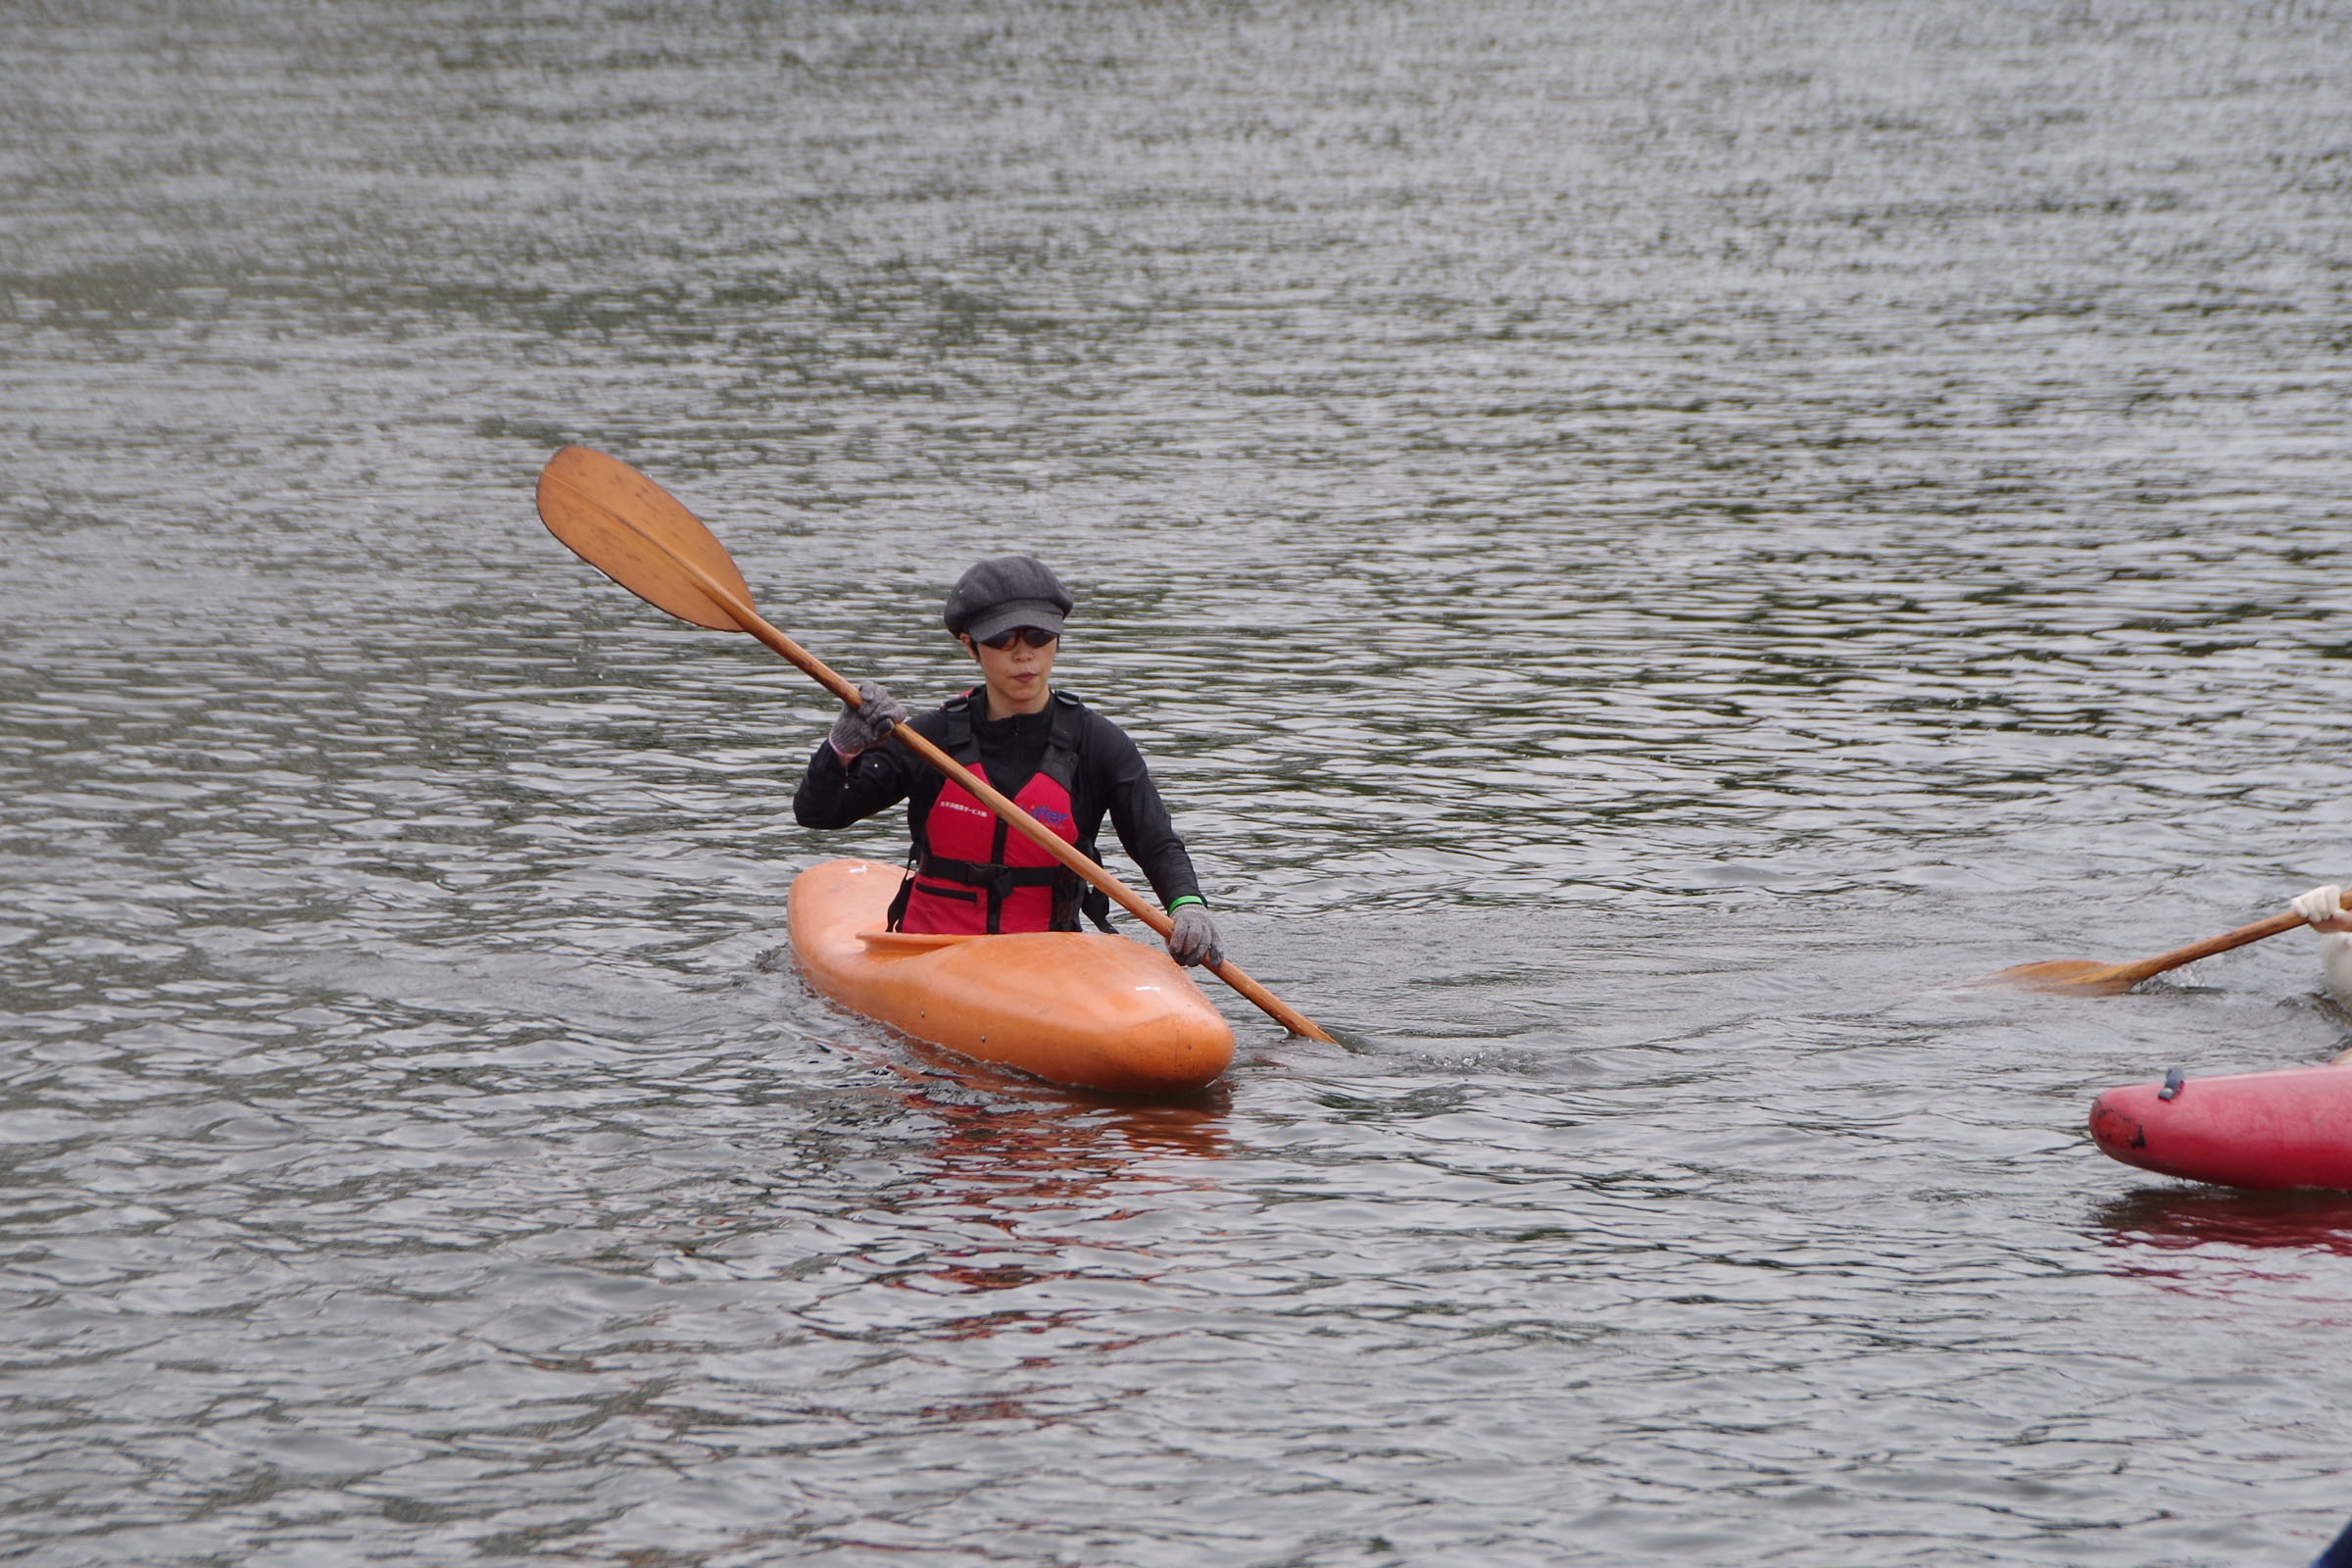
(970, 871)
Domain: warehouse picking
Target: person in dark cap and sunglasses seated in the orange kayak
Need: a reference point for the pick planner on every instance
(1050, 753)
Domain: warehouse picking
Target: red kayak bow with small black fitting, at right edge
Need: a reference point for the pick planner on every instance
(2250, 1130)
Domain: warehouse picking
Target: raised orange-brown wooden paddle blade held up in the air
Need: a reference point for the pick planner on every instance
(639, 535)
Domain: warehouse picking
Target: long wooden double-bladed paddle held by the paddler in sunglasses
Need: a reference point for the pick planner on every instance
(650, 544)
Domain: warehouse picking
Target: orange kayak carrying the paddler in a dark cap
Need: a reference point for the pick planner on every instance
(1069, 1007)
